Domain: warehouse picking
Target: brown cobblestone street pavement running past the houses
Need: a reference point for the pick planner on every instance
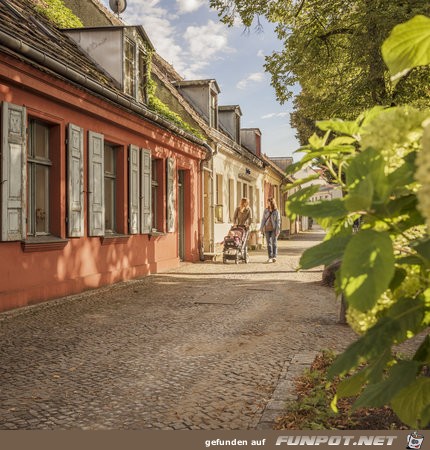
(205, 346)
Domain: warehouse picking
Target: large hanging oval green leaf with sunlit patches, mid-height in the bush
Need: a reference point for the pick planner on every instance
(367, 268)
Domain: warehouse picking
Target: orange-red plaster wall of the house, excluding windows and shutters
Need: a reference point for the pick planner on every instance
(34, 273)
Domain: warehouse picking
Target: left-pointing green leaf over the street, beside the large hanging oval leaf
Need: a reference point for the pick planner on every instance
(324, 253)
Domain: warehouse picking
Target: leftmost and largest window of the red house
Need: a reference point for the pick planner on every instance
(39, 163)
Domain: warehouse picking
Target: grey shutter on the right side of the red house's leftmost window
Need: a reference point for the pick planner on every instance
(75, 173)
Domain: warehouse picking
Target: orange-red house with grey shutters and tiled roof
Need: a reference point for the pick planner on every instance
(95, 187)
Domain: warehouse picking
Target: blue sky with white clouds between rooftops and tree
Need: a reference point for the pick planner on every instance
(189, 36)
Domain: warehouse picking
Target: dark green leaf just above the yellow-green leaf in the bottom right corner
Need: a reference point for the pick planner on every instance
(380, 394)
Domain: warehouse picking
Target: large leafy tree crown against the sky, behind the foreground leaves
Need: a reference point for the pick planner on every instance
(331, 49)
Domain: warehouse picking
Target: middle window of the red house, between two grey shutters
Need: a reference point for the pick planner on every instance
(110, 188)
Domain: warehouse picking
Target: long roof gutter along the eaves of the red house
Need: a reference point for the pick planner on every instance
(90, 84)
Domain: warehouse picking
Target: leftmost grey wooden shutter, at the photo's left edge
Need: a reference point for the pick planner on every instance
(13, 175)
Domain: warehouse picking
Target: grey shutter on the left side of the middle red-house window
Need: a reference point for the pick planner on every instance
(96, 206)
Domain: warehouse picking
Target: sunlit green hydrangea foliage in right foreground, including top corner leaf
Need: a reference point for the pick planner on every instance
(382, 162)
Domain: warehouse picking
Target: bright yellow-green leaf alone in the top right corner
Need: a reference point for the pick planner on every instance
(407, 47)
